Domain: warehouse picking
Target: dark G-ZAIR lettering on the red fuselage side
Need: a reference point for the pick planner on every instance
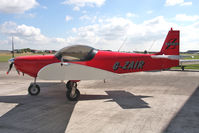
(129, 65)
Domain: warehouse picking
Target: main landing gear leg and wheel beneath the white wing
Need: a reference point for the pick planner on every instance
(72, 92)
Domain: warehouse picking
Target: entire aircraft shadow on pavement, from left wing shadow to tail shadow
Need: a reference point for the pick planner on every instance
(51, 112)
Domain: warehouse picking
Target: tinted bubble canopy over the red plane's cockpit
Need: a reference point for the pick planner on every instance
(76, 53)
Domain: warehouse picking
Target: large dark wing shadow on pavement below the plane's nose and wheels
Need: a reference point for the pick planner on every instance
(49, 112)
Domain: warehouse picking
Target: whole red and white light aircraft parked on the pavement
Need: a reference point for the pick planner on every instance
(79, 62)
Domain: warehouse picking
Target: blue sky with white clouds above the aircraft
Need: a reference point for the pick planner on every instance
(103, 24)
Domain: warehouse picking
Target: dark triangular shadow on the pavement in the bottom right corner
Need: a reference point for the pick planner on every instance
(187, 119)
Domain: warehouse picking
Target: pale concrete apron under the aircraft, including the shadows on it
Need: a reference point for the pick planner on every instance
(146, 102)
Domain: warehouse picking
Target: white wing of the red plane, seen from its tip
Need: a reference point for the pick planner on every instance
(72, 71)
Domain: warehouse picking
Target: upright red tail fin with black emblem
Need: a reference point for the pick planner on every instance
(171, 43)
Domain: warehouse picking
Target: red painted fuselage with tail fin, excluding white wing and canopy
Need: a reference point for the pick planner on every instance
(116, 62)
